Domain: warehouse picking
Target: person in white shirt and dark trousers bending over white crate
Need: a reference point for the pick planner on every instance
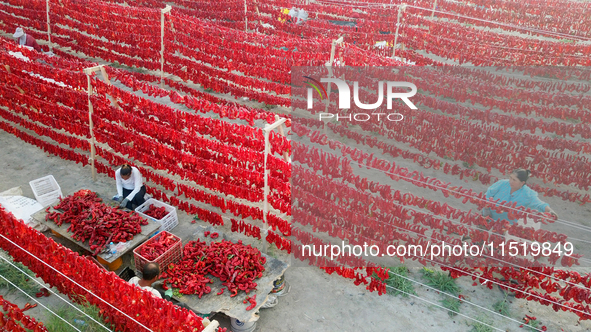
(130, 187)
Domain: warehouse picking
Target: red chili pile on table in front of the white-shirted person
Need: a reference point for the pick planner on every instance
(94, 221)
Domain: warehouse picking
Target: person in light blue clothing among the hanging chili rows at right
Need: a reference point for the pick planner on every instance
(515, 190)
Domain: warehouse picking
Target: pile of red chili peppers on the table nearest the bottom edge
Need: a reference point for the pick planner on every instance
(235, 264)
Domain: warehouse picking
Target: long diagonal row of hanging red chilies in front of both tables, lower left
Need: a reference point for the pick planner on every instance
(79, 276)
